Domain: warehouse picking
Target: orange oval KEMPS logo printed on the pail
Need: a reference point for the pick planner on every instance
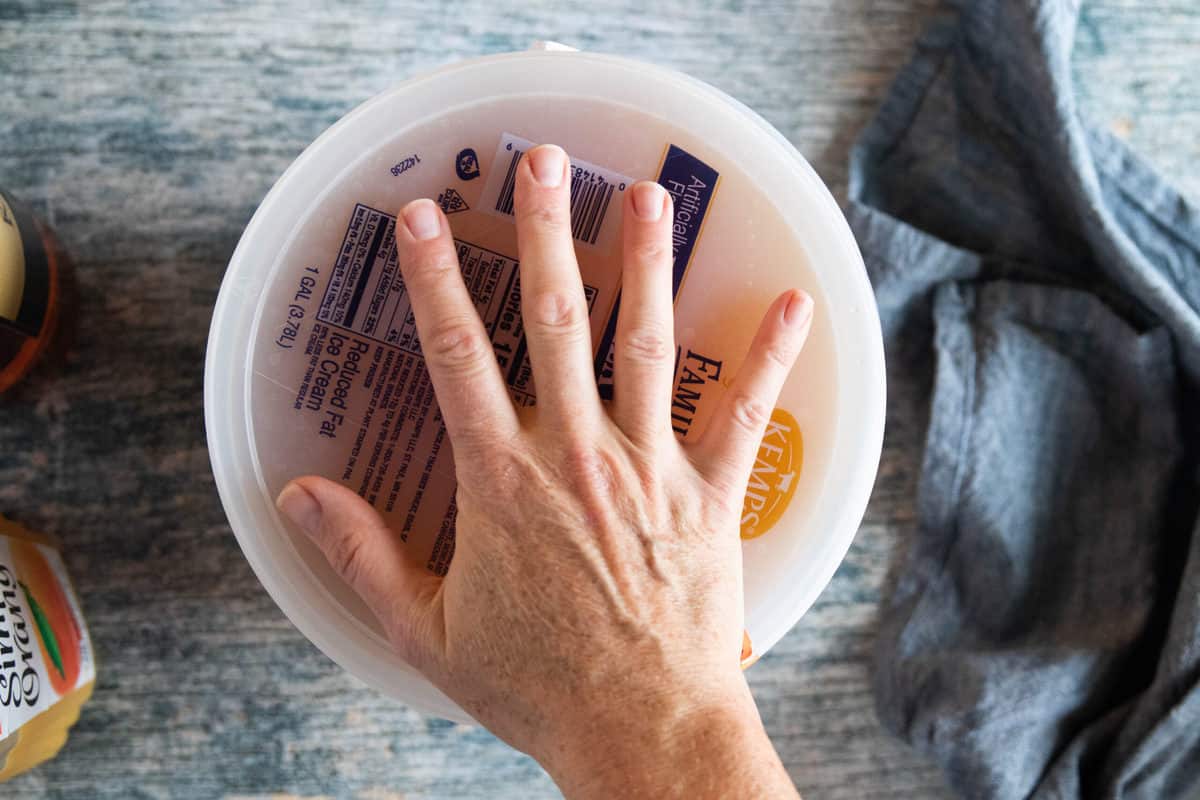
(776, 473)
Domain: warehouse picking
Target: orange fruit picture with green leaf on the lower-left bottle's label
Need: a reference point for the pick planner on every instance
(58, 631)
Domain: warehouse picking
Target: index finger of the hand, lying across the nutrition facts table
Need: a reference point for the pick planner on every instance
(472, 395)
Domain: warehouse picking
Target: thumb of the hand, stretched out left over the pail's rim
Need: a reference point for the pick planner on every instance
(368, 555)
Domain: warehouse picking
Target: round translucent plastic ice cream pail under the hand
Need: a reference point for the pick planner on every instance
(314, 364)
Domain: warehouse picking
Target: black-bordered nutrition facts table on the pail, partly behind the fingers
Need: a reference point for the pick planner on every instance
(367, 296)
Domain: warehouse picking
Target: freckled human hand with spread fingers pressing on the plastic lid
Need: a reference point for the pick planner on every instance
(593, 612)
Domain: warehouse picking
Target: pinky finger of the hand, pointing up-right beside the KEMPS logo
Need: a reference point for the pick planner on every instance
(725, 453)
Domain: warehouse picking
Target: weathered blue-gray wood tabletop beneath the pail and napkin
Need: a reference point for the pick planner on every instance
(147, 133)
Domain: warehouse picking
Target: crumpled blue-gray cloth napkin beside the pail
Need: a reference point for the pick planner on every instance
(1040, 290)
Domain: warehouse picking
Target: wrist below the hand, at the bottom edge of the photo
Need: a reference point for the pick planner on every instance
(680, 744)
